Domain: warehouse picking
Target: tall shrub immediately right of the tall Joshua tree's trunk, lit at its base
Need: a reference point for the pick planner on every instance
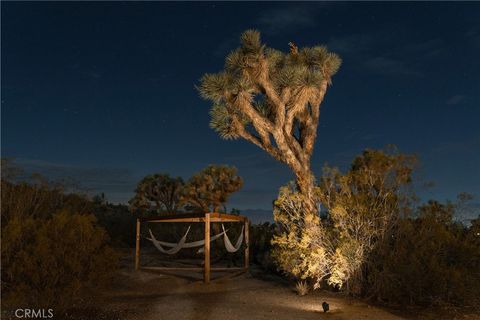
(363, 205)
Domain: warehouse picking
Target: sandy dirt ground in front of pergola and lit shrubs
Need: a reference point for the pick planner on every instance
(253, 295)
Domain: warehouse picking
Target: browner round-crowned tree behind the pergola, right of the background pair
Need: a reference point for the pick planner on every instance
(210, 188)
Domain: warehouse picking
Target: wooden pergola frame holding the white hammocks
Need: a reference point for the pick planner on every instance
(206, 218)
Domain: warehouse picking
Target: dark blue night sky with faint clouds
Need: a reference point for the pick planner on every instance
(104, 92)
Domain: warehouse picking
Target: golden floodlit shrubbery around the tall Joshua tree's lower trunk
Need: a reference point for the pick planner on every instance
(361, 206)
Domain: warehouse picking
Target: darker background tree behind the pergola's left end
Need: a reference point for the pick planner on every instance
(158, 193)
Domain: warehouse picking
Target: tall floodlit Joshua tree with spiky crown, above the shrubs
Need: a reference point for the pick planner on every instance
(272, 99)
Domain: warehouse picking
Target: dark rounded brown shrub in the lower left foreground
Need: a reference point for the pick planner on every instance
(55, 262)
